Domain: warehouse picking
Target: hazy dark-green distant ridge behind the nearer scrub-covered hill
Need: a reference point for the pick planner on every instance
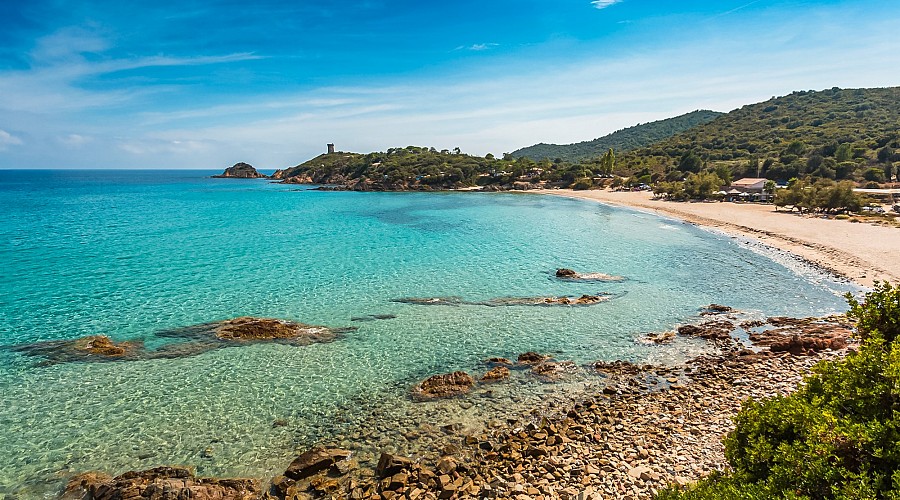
(627, 139)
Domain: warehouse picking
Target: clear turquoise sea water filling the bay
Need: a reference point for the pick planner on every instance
(128, 254)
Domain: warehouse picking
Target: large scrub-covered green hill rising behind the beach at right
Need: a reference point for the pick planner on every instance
(835, 133)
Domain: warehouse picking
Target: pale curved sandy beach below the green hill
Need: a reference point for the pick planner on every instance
(861, 252)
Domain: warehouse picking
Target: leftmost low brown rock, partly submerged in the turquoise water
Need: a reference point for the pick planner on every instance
(90, 348)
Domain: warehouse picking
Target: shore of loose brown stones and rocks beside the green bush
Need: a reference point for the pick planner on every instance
(649, 427)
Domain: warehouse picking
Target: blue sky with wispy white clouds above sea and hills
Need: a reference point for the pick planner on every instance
(191, 84)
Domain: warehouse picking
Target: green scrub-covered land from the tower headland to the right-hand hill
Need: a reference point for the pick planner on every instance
(830, 140)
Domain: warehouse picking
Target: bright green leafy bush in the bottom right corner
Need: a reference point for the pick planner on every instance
(836, 437)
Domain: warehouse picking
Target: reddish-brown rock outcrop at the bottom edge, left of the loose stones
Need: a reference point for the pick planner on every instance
(159, 482)
